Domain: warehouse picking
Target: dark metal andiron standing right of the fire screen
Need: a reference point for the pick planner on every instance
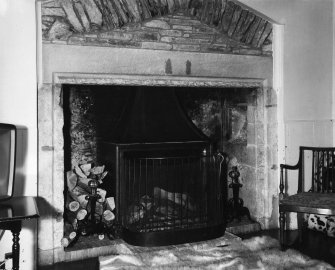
(235, 205)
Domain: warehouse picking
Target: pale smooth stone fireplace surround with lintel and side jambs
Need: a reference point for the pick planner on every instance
(64, 64)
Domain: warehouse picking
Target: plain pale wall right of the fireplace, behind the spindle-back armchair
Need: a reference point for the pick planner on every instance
(308, 72)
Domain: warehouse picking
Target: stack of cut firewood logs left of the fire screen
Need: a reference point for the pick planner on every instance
(78, 209)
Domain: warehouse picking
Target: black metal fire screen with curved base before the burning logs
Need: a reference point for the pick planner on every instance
(169, 196)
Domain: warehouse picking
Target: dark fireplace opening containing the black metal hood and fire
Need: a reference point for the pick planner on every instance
(159, 149)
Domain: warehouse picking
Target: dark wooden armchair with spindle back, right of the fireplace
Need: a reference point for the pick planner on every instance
(316, 186)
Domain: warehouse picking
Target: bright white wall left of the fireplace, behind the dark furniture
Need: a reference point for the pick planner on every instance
(18, 106)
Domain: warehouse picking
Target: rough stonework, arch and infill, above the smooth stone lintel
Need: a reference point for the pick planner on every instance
(220, 26)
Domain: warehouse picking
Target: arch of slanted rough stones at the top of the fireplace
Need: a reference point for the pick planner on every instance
(62, 18)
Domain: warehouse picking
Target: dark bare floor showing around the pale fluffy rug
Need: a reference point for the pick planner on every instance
(314, 244)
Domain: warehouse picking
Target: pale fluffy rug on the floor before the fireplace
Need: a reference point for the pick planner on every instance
(222, 253)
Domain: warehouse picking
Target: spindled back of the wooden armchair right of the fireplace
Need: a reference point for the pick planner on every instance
(319, 164)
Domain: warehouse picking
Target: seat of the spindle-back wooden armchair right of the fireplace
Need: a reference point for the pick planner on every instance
(316, 203)
